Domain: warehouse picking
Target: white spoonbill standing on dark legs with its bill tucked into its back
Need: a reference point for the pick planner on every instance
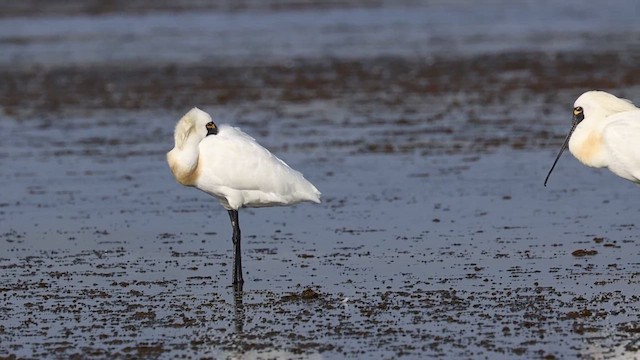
(230, 165)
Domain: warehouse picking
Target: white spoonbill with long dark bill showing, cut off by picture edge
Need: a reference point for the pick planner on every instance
(605, 132)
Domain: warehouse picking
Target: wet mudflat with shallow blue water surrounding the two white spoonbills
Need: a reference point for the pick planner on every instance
(435, 236)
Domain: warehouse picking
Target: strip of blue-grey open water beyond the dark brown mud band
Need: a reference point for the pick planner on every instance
(256, 35)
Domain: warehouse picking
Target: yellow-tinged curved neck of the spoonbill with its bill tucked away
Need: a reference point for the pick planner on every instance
(183, 161)
